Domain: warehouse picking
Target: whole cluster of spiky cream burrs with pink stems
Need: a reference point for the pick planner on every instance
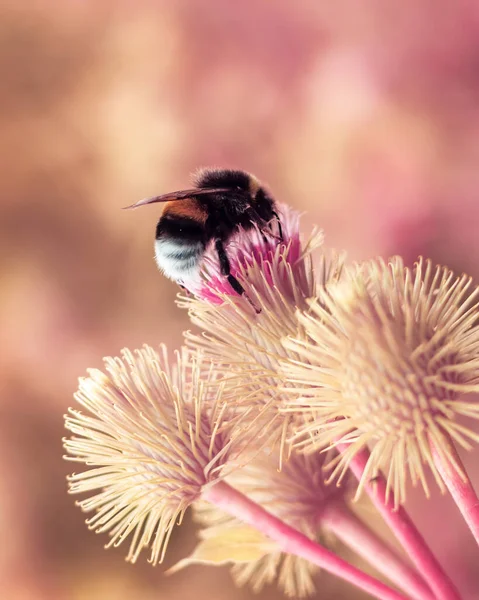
(318, 364)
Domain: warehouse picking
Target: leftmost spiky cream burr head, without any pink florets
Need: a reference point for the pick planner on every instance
(152, 436)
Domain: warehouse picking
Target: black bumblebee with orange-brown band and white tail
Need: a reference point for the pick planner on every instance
(221, 202)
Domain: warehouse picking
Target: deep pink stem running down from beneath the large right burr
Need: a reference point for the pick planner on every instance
(404, 530)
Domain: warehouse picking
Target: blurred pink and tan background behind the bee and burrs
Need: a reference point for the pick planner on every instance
(365, 115)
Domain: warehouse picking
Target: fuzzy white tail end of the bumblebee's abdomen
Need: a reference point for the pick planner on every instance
(179, 260)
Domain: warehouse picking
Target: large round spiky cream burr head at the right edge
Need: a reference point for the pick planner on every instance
(385, 357)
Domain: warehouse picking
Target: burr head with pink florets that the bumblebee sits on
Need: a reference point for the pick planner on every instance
(278, 278)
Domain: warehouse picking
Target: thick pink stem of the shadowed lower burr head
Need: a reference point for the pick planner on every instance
(354, 533)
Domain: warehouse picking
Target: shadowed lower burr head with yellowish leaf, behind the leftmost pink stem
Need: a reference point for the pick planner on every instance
(297, 495)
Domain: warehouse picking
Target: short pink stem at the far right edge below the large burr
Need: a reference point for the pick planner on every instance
(461, 488)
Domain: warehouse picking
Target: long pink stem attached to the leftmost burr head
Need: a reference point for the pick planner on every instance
(291, 541)
